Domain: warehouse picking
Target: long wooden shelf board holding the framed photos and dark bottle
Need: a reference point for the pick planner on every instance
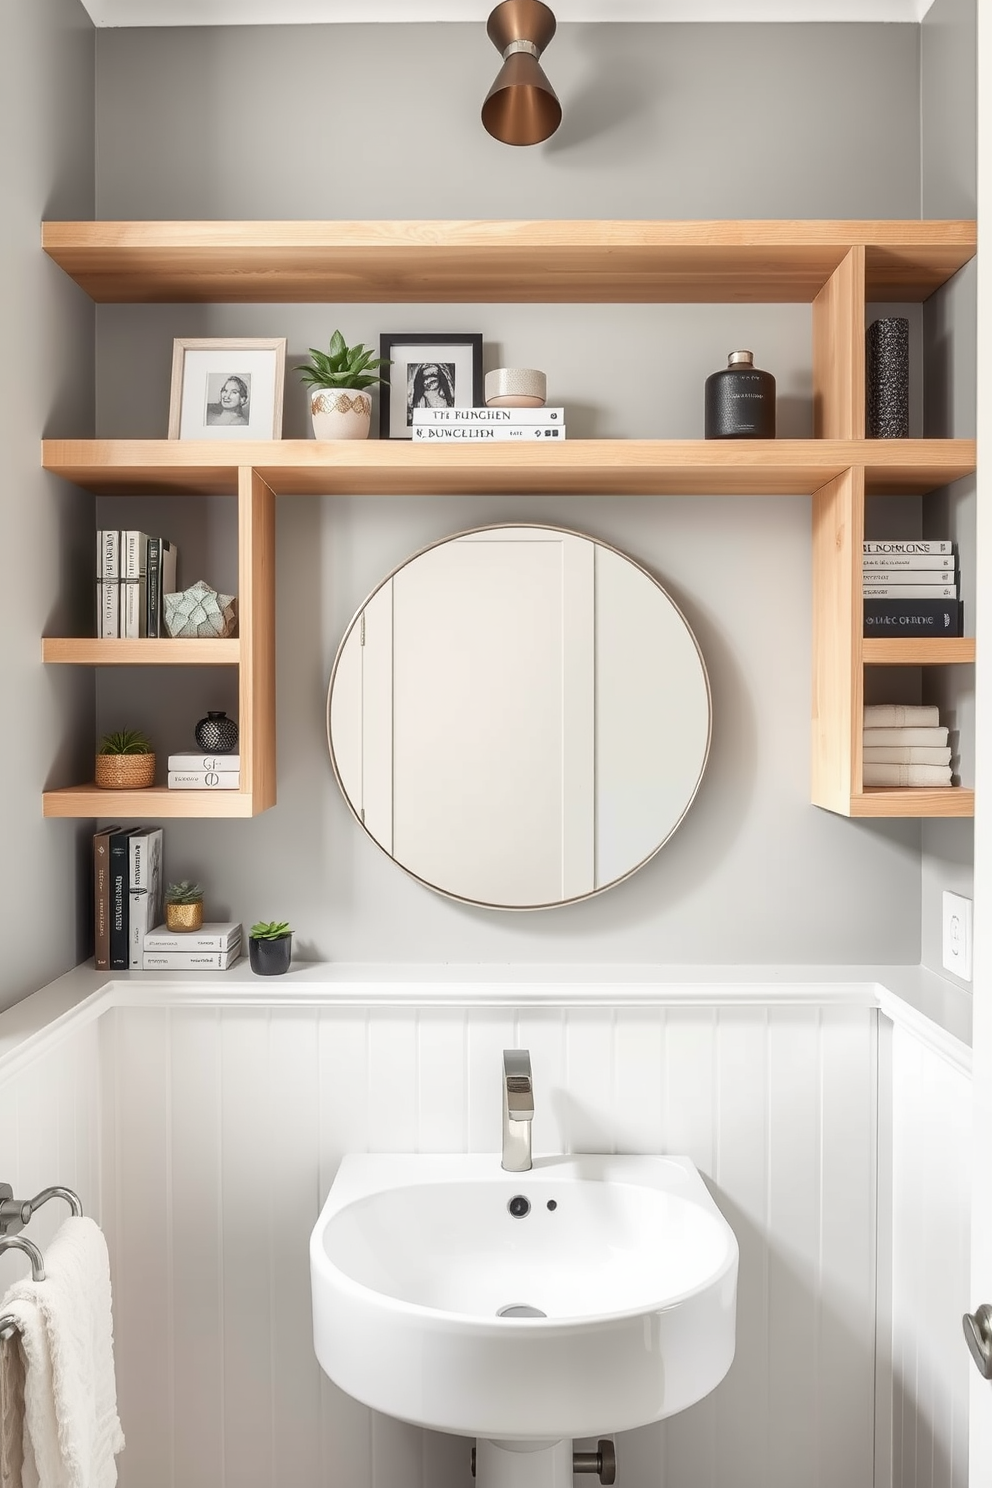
(578, 466)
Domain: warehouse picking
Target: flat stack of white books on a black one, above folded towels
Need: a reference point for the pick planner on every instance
(911, 589)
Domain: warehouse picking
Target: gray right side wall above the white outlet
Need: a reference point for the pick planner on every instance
(950, 190)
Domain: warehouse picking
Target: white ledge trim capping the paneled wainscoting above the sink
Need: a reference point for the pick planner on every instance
(935, 1011)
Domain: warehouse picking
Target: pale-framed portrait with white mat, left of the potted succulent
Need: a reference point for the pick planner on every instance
(227, 388)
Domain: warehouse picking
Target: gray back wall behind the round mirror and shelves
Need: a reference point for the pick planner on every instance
(234, 124)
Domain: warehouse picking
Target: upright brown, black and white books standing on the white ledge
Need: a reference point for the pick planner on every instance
(129, 894)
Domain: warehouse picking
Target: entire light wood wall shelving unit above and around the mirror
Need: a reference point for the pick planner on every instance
(835, 267)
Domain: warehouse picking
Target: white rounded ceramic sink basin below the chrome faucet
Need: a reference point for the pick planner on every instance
(611, 1303)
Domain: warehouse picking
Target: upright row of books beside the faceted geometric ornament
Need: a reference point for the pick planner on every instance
(133, 574)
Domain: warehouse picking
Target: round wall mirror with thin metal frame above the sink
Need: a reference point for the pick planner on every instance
(520, 716)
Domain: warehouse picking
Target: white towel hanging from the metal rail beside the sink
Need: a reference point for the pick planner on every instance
(71, 1398)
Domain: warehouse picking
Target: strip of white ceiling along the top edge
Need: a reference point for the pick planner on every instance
(303, 13)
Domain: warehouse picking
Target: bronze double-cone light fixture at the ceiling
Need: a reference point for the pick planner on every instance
(521, 106)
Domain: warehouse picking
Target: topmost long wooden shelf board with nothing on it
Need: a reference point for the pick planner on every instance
(524, 263)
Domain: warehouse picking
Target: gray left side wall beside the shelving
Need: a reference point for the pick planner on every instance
(47, 166)
